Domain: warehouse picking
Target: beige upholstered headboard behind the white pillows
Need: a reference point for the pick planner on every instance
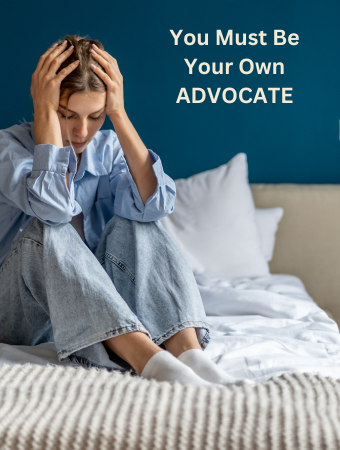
(308, 238)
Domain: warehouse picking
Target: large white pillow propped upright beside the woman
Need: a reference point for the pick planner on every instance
(214, 219)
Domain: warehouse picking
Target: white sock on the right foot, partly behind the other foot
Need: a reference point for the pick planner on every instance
(199, 362)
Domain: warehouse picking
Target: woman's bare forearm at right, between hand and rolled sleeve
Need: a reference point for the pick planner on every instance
(137, 156)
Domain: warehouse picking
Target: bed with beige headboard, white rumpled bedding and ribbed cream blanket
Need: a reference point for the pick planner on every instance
(279, 329)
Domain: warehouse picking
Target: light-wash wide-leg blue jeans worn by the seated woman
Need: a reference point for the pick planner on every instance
(54, 289)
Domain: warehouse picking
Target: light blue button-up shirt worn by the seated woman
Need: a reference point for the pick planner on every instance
(32, 184)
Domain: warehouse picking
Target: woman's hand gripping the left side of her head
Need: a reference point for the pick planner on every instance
(45, 87)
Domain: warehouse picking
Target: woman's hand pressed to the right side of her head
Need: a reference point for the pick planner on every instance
(113, 80)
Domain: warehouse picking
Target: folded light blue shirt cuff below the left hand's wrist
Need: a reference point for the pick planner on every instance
(50, 158)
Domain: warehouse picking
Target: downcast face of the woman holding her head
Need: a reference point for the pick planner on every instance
(86, 115)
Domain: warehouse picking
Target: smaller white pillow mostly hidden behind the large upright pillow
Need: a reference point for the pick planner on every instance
(267, 220)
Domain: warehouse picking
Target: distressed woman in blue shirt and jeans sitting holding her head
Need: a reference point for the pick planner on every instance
(85, 262)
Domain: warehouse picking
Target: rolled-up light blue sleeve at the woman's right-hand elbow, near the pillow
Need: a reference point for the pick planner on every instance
(128, 202)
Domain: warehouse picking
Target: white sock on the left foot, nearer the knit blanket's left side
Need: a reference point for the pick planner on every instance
(163, 366)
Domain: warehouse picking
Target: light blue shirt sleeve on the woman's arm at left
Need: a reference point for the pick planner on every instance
(36, 183)
